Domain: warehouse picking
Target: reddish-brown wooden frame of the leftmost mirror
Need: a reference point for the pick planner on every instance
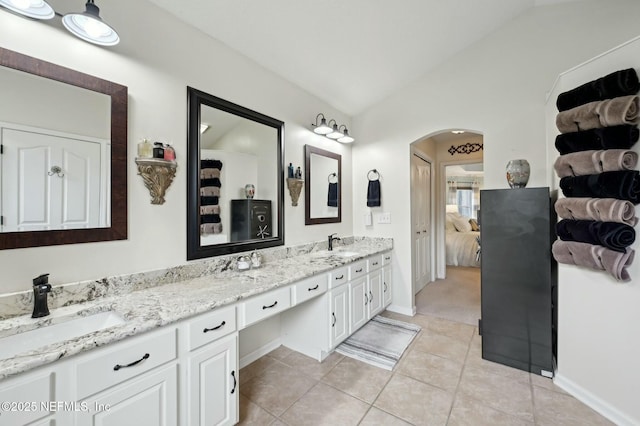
(119, 106)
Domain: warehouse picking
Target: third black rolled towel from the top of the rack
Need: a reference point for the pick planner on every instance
(623, 185)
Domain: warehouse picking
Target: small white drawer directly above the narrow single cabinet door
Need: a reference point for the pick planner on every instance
(211, 326)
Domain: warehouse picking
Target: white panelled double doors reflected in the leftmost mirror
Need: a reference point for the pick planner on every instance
(49, 181)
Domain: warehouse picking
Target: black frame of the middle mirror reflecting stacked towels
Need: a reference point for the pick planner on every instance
(196, 98)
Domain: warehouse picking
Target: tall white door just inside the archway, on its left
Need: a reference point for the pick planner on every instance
(421, 220)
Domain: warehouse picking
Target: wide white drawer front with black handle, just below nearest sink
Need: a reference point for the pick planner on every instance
(124, 360)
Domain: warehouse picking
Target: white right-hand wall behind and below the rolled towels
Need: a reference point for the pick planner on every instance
(598, 318)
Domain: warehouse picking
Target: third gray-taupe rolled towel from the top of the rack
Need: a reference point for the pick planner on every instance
(602, 209)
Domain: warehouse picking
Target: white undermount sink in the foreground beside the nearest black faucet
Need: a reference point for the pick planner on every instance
(47, 334)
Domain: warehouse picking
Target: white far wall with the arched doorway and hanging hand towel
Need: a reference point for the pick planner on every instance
(496, 87)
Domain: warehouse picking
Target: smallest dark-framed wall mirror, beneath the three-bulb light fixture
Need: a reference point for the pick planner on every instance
(323, 186)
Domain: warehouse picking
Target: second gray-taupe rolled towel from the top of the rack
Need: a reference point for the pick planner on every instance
(592, 162)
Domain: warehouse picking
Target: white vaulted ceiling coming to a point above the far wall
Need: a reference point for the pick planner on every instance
(350, 53)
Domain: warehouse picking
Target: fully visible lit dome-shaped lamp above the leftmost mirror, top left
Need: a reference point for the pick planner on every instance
(90, 27)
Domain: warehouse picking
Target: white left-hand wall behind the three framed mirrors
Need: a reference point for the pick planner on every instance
(157, 59)
